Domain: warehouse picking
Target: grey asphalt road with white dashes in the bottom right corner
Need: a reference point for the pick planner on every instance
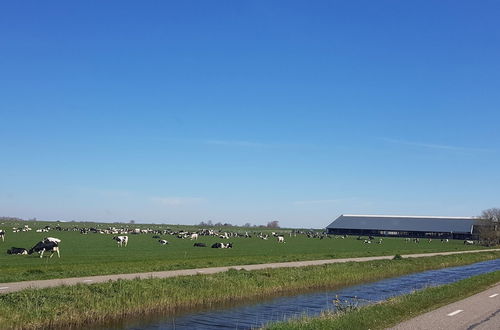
(478, 312)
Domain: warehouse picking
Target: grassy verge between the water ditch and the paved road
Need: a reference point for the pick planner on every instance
(395, 310)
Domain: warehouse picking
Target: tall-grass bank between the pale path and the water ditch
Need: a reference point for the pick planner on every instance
(85, 304)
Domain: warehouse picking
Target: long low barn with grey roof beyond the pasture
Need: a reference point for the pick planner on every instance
(403, 226)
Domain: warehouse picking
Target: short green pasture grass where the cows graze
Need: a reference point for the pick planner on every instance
(98, 254)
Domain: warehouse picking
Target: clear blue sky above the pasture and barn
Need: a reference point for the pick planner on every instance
(248, 111)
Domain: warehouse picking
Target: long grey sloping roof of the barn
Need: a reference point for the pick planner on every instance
(404, 223)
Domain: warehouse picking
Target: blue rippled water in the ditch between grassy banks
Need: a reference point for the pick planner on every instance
(257, 313)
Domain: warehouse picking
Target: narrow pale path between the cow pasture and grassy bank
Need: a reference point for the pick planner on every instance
(17, 286)
